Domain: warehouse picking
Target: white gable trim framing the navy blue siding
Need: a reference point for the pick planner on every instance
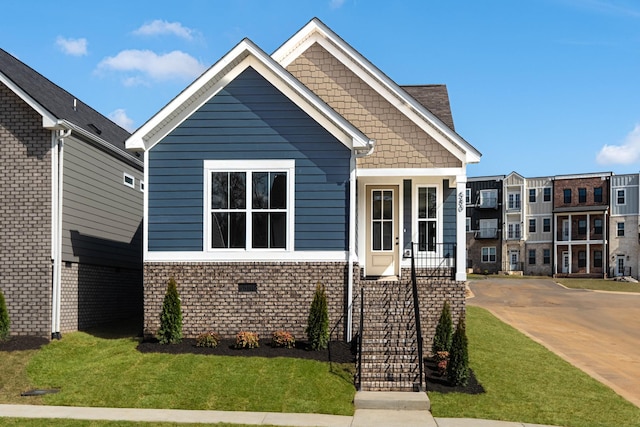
(224, 71)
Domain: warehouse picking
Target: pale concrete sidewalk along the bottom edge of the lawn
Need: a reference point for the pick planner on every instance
(361, 418)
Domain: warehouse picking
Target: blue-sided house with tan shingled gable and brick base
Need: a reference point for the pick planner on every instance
(270, 174)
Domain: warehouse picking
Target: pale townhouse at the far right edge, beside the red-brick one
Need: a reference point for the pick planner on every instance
(624, 231)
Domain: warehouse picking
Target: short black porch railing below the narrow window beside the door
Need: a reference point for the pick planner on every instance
(434, 260)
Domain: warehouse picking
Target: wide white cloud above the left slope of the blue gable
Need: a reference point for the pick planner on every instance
(142, 65)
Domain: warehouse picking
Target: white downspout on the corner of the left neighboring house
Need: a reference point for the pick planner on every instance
(57, 241)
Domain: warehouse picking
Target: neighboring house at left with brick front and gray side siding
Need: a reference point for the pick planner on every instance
(70, 255)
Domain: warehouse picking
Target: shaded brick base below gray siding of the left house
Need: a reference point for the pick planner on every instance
(94, 295)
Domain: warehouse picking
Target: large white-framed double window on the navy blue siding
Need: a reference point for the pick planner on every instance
(249, 204)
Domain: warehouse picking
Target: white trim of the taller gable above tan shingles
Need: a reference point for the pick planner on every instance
(316, 32)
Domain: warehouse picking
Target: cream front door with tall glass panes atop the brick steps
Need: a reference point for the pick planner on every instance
(382, 231)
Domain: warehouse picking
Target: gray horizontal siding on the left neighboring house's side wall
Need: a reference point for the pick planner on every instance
(102, 217)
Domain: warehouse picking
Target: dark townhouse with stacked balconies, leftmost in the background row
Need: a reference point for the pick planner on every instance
(484, 224)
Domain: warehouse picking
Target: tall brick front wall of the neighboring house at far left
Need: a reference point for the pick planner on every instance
(25, 216)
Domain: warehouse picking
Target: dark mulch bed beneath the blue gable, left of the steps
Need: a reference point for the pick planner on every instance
(338, 351)
